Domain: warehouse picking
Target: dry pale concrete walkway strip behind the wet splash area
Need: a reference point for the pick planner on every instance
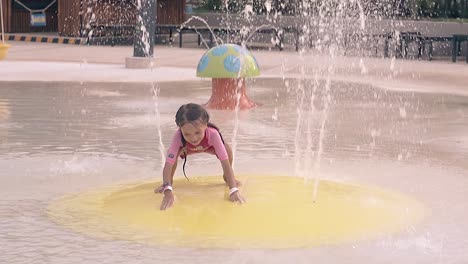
(56, 62)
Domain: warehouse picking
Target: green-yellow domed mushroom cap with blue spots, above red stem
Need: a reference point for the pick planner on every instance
(227, 61)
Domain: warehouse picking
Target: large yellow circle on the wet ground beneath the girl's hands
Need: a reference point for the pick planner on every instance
(279, 213)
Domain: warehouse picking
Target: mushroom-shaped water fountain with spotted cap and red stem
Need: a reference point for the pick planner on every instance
(228, 65)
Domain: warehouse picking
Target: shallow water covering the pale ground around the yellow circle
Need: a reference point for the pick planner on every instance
(64, 138)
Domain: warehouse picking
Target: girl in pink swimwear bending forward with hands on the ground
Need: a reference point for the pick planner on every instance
(196, 135)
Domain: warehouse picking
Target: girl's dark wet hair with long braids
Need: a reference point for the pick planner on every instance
(192, 113)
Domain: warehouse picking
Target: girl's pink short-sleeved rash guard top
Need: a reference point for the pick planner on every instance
(211, 143)
